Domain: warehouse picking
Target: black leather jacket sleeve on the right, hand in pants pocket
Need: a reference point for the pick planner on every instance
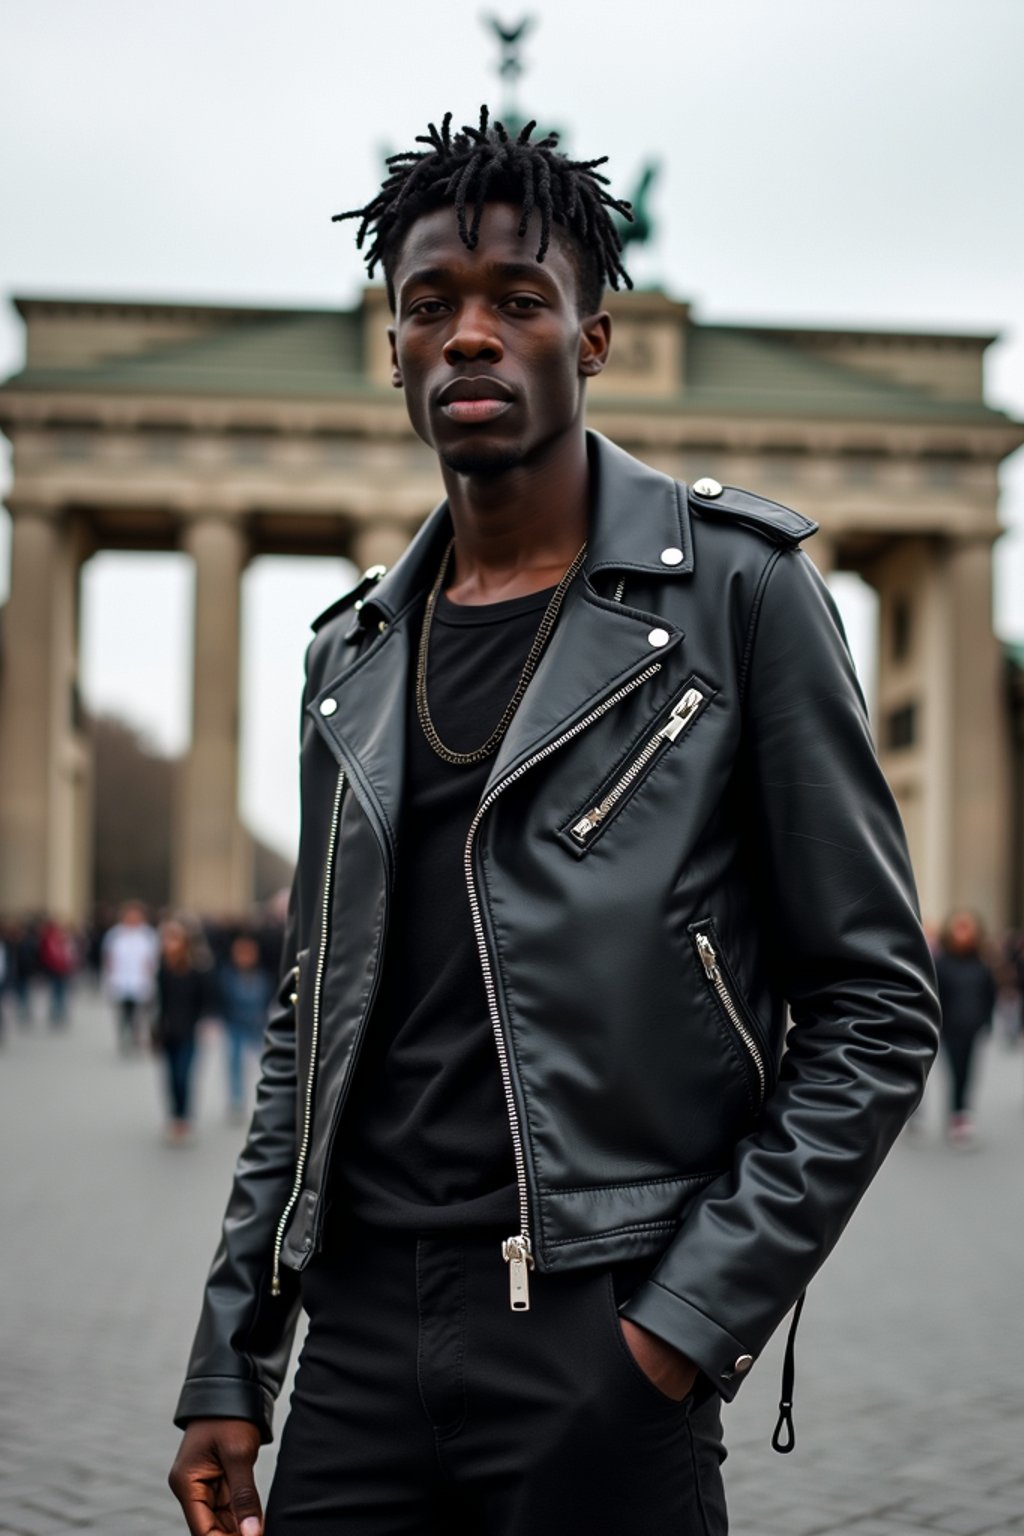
(841, 907)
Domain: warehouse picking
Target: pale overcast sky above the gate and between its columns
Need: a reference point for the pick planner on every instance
(837, 162)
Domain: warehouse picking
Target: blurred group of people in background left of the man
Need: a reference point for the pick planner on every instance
(164, 975)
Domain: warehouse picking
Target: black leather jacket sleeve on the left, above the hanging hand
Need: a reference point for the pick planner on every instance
(245, 1337)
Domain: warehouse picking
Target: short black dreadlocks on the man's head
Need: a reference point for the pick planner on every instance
(487, 165)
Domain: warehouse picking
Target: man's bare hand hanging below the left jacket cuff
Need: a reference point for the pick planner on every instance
(213, 1478)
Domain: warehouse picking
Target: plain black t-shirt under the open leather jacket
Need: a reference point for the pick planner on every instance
(424, 1139)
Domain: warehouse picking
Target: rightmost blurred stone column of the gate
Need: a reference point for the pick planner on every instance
(980, 749)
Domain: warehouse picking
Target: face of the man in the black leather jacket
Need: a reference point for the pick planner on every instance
(489, 345)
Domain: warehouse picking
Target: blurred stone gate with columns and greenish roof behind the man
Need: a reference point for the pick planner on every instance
(231, 432)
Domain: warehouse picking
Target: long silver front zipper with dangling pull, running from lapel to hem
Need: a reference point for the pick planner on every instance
(518, 1250)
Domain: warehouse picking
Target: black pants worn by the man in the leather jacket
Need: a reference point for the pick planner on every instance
(424, 1406)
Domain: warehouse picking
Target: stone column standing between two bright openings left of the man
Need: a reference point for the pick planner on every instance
(213, 853)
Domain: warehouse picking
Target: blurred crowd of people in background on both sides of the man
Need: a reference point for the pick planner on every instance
(167, 975)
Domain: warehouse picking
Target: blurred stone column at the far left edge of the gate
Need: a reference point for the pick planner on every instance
(41, 749)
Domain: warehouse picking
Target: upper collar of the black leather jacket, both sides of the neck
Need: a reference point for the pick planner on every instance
(638, 514)
